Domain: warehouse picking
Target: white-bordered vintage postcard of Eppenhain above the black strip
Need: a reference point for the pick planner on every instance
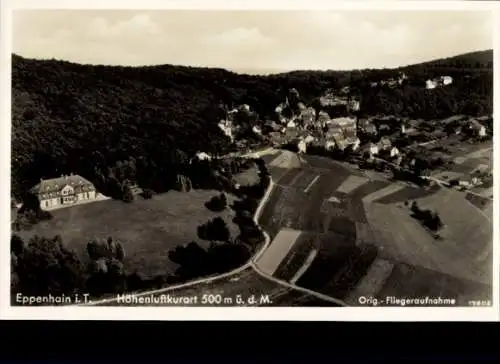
(259, 157)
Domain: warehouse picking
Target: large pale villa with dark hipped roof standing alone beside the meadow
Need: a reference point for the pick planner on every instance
(63, 191)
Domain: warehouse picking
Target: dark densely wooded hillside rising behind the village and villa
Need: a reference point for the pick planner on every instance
(70, 118)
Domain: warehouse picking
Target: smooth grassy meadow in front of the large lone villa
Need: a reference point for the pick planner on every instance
(147, 229)
